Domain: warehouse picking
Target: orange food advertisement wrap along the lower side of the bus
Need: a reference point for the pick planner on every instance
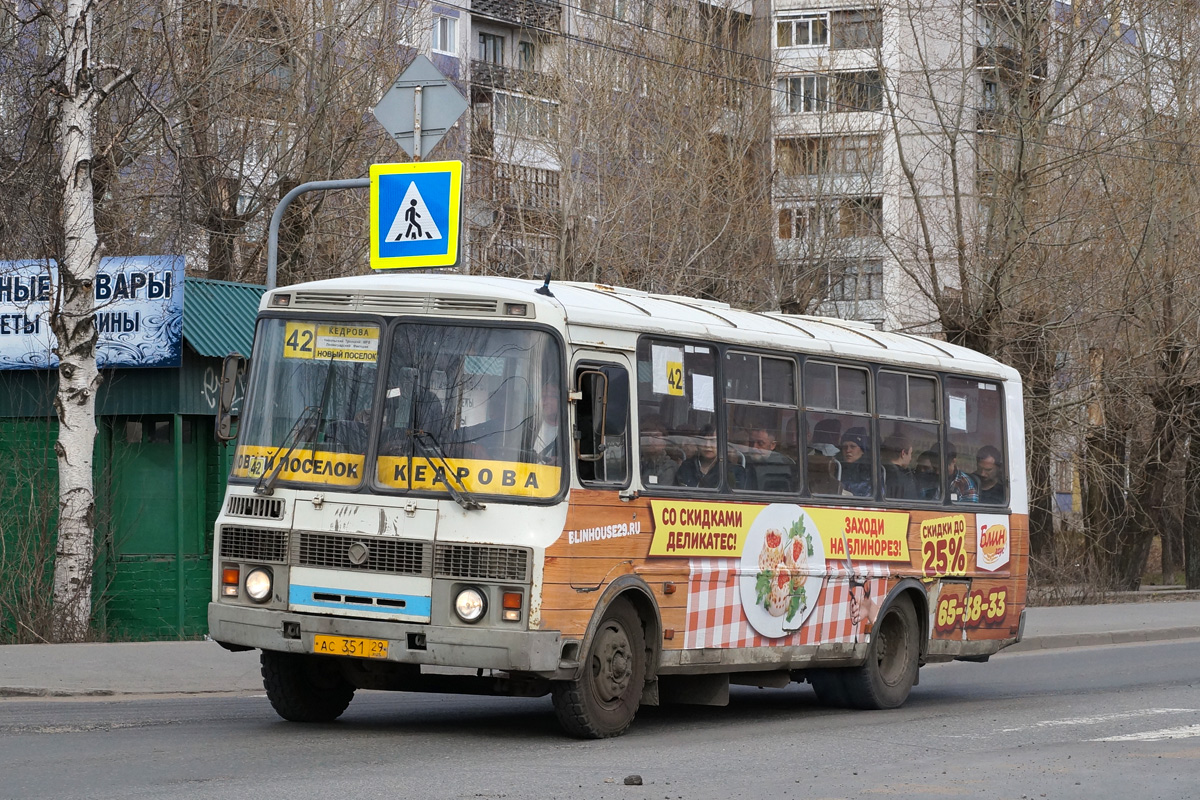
(741, 575)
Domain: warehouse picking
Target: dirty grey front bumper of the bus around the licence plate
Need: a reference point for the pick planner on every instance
(478, 648)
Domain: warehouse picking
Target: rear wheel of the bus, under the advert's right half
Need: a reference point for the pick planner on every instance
(892, 660)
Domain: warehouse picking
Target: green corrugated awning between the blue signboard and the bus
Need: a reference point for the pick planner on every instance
(219, 316)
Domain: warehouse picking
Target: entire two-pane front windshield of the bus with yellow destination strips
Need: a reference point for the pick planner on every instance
(476, 408)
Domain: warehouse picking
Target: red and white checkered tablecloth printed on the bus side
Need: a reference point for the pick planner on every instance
(716, 618)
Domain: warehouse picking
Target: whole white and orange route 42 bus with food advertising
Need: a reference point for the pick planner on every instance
(497, 486)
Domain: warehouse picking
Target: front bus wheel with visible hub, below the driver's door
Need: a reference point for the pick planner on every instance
(604, 700)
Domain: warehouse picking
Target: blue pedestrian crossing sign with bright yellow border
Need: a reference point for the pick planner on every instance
(416, 214)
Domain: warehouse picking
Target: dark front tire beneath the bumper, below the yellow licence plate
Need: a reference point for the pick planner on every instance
(304, 690)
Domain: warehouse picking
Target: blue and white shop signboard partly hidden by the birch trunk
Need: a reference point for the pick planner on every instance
(140, 312)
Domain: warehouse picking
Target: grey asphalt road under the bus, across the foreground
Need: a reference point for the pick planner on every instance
(1091, 724)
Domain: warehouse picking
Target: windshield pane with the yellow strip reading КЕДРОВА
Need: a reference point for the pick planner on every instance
(478, 407)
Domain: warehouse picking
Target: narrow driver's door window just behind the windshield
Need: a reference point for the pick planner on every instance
(603, 425)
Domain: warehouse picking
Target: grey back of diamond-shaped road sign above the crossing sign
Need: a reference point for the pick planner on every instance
(442, 105)
